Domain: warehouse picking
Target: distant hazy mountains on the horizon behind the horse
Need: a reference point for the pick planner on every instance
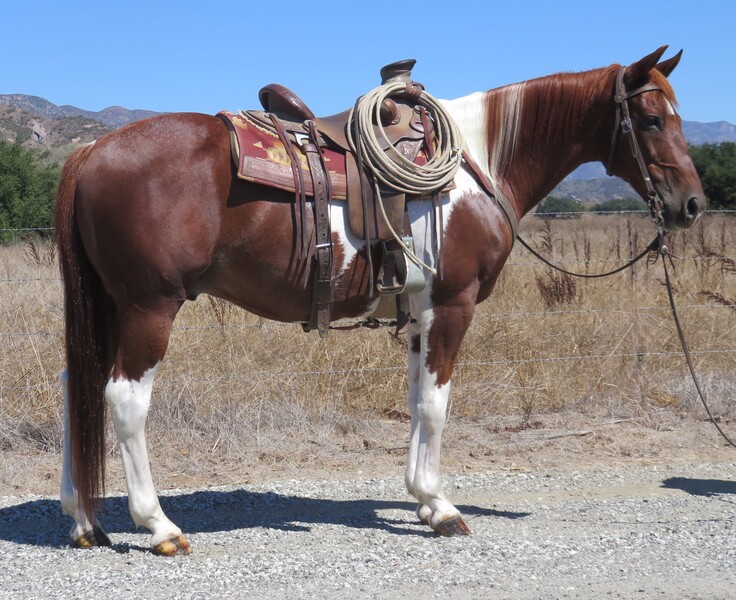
(41, 124)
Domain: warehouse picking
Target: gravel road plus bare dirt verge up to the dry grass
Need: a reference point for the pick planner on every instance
(569, 510)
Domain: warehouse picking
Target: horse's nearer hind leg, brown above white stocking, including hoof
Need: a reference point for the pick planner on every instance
(144, 336)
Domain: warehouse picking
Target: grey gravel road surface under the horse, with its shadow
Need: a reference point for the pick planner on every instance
(620, 532)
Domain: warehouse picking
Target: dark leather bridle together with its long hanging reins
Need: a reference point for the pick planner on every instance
(655, 204)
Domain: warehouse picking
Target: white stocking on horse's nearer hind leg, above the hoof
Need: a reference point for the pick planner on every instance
(129, 402)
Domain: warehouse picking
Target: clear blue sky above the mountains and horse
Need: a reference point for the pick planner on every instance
(199, 56)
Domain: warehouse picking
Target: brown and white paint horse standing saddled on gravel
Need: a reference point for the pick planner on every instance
(152, 215)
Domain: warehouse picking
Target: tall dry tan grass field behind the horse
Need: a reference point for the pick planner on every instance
(540, 346)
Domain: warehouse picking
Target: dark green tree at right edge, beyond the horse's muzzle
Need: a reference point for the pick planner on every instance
(716, 165)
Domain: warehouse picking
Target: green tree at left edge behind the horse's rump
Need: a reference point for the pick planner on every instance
(27, 189)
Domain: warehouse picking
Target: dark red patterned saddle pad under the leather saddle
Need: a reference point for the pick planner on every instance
(262, 158)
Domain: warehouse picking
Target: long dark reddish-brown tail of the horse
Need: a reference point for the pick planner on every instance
(86, 339)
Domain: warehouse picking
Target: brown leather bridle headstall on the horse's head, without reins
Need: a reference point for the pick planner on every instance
(623, 123)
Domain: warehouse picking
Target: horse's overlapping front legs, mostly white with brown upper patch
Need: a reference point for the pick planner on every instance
(434, 341)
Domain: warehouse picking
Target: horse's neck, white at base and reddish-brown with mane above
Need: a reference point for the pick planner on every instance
(531, 135)
